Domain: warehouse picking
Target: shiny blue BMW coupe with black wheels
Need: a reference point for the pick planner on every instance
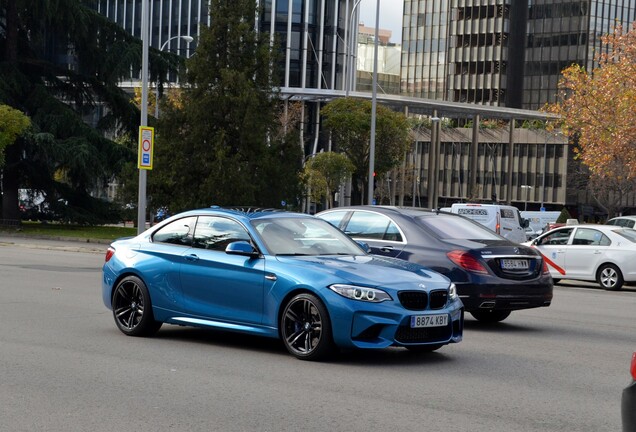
(276, 274)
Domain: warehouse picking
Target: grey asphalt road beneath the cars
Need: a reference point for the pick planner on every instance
(65, 367)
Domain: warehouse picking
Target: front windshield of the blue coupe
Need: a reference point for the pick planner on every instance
(304, 236)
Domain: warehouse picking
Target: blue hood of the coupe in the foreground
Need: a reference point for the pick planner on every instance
(369, 270)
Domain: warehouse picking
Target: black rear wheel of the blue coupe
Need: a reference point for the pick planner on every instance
(132, 309)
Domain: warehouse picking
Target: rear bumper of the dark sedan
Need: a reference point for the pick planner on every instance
(505, 297)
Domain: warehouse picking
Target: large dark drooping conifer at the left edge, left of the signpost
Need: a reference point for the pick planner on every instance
(67, 157)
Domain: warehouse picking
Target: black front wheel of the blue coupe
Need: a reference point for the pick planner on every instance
(306, 328)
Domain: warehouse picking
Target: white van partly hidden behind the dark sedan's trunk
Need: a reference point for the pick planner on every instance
(503, 219)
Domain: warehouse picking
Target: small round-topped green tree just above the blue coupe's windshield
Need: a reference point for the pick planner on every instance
(325, 173)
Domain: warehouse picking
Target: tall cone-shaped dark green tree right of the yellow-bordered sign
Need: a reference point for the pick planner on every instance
(221, 144)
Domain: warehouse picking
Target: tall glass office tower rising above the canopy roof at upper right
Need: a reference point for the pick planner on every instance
(501, 52)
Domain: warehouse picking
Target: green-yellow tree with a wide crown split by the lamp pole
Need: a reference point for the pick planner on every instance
(349, 121)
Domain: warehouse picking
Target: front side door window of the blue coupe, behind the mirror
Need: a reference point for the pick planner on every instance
(215, 233)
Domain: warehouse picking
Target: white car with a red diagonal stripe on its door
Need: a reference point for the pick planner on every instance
(602, 253)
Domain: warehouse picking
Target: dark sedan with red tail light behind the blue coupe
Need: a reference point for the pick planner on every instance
(494, 276)
